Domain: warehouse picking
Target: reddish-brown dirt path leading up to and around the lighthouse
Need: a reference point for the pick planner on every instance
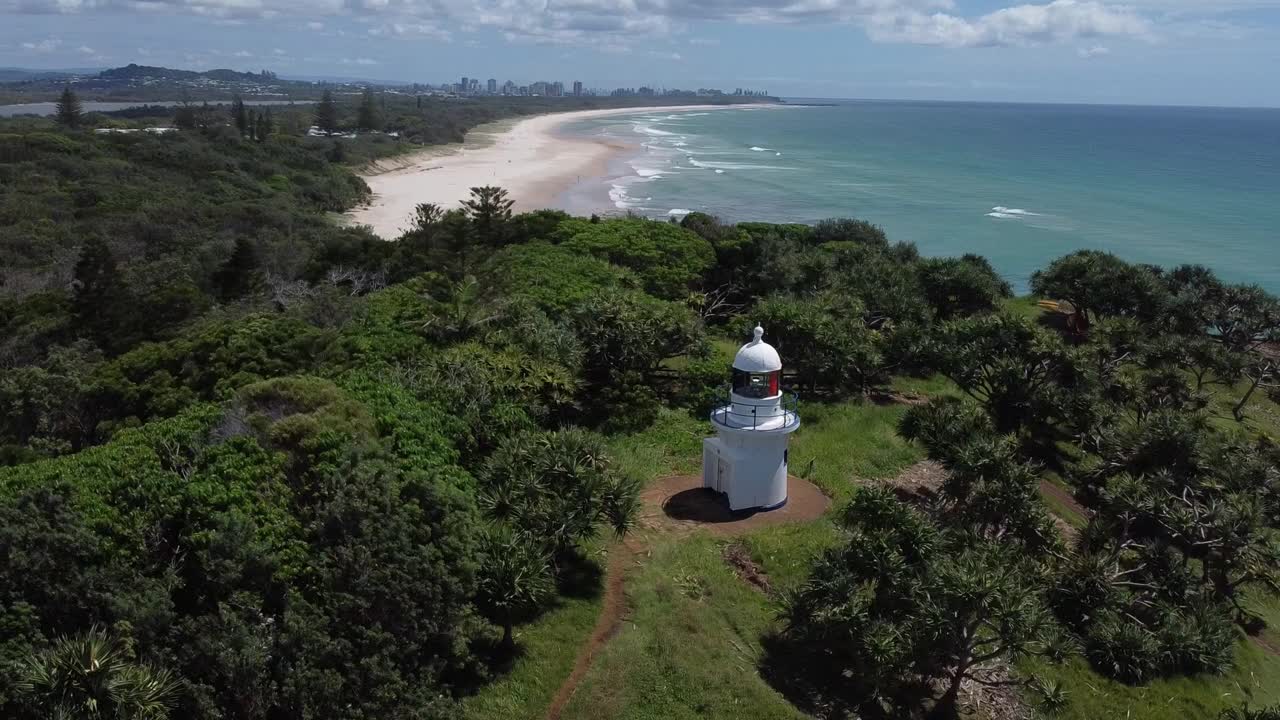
(675, 505)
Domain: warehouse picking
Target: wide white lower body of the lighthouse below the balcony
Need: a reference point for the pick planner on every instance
(751, 471)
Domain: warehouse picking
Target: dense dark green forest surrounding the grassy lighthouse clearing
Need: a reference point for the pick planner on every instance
(257, 464)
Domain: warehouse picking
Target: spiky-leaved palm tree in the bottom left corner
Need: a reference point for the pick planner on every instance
(92, 677)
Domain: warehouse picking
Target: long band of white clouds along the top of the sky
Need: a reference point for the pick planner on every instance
(611, 24)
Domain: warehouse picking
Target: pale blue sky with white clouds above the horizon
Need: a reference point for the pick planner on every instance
(1141, 52)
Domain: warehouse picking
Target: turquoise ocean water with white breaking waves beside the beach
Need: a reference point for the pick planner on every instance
(1018, 184)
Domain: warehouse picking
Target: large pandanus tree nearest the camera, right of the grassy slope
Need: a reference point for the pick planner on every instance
(906, 609)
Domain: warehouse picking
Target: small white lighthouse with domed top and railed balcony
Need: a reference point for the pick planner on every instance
(748, 459)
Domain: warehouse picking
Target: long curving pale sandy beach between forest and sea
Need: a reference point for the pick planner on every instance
(527, 158)
